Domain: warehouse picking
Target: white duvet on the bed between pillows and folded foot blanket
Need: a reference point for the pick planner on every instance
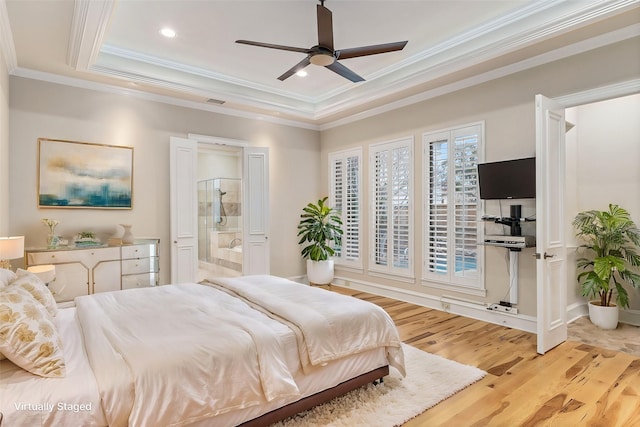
(204, 353)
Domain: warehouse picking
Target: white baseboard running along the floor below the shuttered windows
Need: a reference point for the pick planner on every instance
(448, 304)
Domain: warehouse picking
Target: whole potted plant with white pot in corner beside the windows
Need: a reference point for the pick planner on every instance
(320, 231)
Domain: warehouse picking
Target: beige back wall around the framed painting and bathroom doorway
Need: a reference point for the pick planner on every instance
(40, 109)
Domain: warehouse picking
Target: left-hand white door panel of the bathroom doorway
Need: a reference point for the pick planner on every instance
(183, 161)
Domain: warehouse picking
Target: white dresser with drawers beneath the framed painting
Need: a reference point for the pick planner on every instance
(84, 271)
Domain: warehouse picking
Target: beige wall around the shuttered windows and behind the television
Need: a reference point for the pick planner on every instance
(506, 106)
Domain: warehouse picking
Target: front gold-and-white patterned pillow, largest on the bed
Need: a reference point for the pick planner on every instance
(28, 336)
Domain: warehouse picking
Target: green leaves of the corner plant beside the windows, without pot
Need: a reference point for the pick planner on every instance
(319, 226)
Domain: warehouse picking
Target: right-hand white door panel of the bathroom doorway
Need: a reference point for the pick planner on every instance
(255, 245)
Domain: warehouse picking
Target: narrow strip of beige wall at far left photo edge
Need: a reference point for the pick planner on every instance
(4, 148)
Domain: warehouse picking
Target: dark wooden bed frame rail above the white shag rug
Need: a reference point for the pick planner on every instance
(317, 399)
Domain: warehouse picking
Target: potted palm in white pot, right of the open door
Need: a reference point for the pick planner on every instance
(611, 242)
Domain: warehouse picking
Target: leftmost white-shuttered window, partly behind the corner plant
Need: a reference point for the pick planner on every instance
(344, 195)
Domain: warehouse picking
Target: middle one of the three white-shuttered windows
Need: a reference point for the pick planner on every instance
(391, 182)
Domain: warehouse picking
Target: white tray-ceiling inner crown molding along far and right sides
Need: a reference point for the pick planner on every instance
(498, 37)
